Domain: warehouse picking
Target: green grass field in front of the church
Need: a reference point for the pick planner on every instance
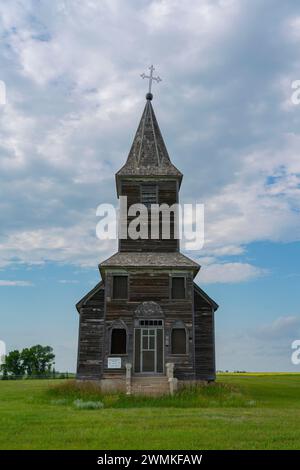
(244, 411)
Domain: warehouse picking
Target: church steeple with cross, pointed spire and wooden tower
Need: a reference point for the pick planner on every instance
(149, 177)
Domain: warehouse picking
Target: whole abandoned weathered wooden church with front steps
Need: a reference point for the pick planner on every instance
(146, 326)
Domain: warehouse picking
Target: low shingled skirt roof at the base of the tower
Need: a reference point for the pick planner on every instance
(155, 260)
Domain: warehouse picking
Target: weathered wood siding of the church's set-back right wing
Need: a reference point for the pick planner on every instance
(204, 339)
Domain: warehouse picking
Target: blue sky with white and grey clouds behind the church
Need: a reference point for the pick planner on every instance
(74, 98)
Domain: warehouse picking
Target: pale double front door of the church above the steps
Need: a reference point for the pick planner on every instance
(148, 347)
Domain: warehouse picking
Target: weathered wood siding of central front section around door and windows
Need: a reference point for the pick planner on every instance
(153, 286)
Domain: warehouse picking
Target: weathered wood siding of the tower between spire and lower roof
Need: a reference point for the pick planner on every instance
(167, 194)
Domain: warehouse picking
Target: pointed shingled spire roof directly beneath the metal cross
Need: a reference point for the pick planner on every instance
(148, 155)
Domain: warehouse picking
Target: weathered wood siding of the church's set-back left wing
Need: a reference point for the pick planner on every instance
(91, 338)
